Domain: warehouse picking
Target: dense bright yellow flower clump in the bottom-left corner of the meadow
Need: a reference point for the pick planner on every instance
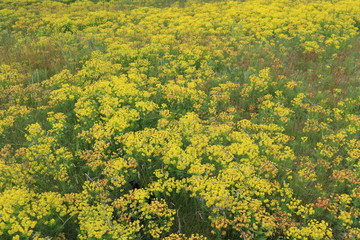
(24, 213)
